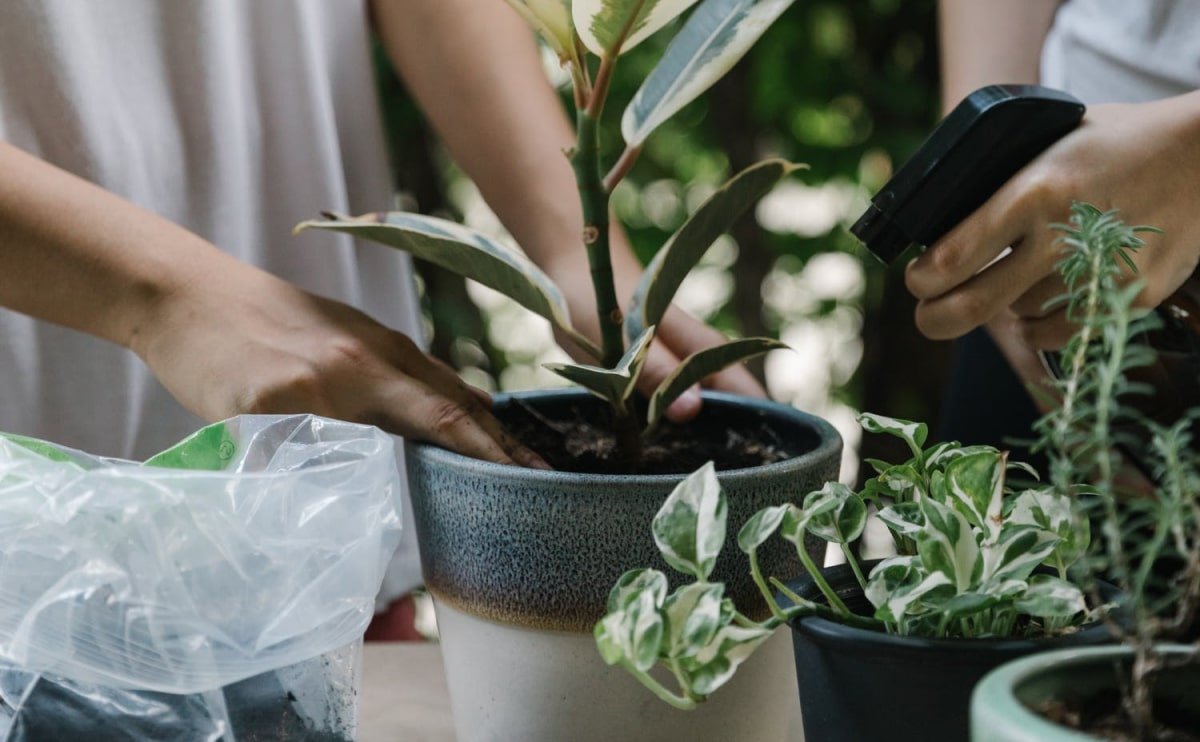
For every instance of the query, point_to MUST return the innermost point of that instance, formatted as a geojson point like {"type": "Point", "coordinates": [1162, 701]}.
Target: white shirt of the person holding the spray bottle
{"type": "Point", "coordinates": [1124, 51]}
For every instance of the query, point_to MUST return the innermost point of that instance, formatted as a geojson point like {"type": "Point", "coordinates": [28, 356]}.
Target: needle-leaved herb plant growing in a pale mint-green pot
{"type": "Point", "coordinates": [1148, 689]}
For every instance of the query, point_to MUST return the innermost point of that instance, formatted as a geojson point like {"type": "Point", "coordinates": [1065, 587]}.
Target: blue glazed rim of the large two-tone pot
{"type": "Point", "coordinates": [830, 445]}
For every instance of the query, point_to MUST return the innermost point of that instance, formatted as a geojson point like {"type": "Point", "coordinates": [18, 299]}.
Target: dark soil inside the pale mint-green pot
{"type": "Point", "coordinates": [1101, 717]}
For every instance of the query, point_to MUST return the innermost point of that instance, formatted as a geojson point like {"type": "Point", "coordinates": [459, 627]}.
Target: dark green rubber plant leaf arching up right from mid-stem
{"type": "Point", "coordinates": [715, 218]}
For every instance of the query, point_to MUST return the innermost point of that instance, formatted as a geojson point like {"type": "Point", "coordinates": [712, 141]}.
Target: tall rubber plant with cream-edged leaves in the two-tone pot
{"type": "Point", "coordinates": [590, 37]}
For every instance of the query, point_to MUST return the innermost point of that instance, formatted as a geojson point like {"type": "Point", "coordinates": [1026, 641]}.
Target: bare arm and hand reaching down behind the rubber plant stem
{"type": "Point", "coordinates": [484, 89]}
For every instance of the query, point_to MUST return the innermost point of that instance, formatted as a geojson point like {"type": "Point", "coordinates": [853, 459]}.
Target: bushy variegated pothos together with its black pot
{"type": "Point", "coordinates": [884, 650]}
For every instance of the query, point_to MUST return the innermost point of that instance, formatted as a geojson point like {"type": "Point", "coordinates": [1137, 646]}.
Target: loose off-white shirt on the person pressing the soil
{"type": "Point", "coordinates": [233, 118]}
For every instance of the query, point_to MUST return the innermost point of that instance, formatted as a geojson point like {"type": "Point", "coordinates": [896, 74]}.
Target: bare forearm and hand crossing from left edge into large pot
{"type": "Point", "coordinates": [224, 337]}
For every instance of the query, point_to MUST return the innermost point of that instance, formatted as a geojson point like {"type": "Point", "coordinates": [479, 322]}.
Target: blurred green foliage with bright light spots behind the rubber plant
{"type": "Point", "coordinates": [849, 88]}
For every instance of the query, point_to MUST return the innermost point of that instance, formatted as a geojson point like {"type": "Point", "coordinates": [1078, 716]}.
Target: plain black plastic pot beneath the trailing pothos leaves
{"type": "Point", "coordinates": [860, 686]}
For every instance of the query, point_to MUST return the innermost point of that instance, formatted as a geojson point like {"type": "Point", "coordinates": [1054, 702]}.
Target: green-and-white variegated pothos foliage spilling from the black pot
{"type": "Point", "coordinates": [969, 547]}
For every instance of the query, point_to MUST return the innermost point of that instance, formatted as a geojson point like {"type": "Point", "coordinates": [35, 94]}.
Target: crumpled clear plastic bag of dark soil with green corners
{"type": "Point", "coordinates": [241, 565]}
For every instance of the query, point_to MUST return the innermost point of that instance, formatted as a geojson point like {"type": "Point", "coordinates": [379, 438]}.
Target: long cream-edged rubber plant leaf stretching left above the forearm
{"type": "Point", "coordinates": [466, 253]}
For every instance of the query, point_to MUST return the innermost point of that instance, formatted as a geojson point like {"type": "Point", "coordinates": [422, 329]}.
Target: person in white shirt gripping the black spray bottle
{"type": "Point", "coordinates": [1137, 65]}
